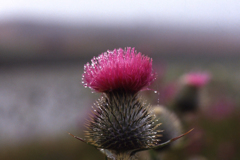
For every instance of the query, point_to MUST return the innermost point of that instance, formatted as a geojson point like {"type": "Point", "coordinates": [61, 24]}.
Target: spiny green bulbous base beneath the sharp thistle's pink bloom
{"type": "Point", "coordinates": [122, 122]}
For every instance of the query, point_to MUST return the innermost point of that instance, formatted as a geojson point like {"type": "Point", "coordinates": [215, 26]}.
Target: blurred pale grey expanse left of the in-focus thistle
{"type": "Point", "coordinates": [40, 101]}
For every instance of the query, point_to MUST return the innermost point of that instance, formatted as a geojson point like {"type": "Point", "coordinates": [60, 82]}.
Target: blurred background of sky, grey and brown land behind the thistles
{"type": "Point", "coordinates": [44, 45]}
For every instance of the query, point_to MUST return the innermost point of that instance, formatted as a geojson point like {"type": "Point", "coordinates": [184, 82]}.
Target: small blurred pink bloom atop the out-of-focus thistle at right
{"type": "Point", "coordinates": [196, 79]}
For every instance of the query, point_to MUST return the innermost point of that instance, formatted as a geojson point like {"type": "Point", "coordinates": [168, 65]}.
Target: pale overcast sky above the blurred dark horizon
{"type": "Point", "coordinates": [213, 12]}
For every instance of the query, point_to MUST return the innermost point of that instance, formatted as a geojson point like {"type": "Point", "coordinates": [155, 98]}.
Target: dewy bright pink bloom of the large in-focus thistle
{"type": "Point", "coordinates": [119, 69]}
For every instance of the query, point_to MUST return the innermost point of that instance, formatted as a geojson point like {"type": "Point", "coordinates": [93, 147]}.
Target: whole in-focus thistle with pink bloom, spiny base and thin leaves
{"type": "Point", "coordinates": [122, 123]}
